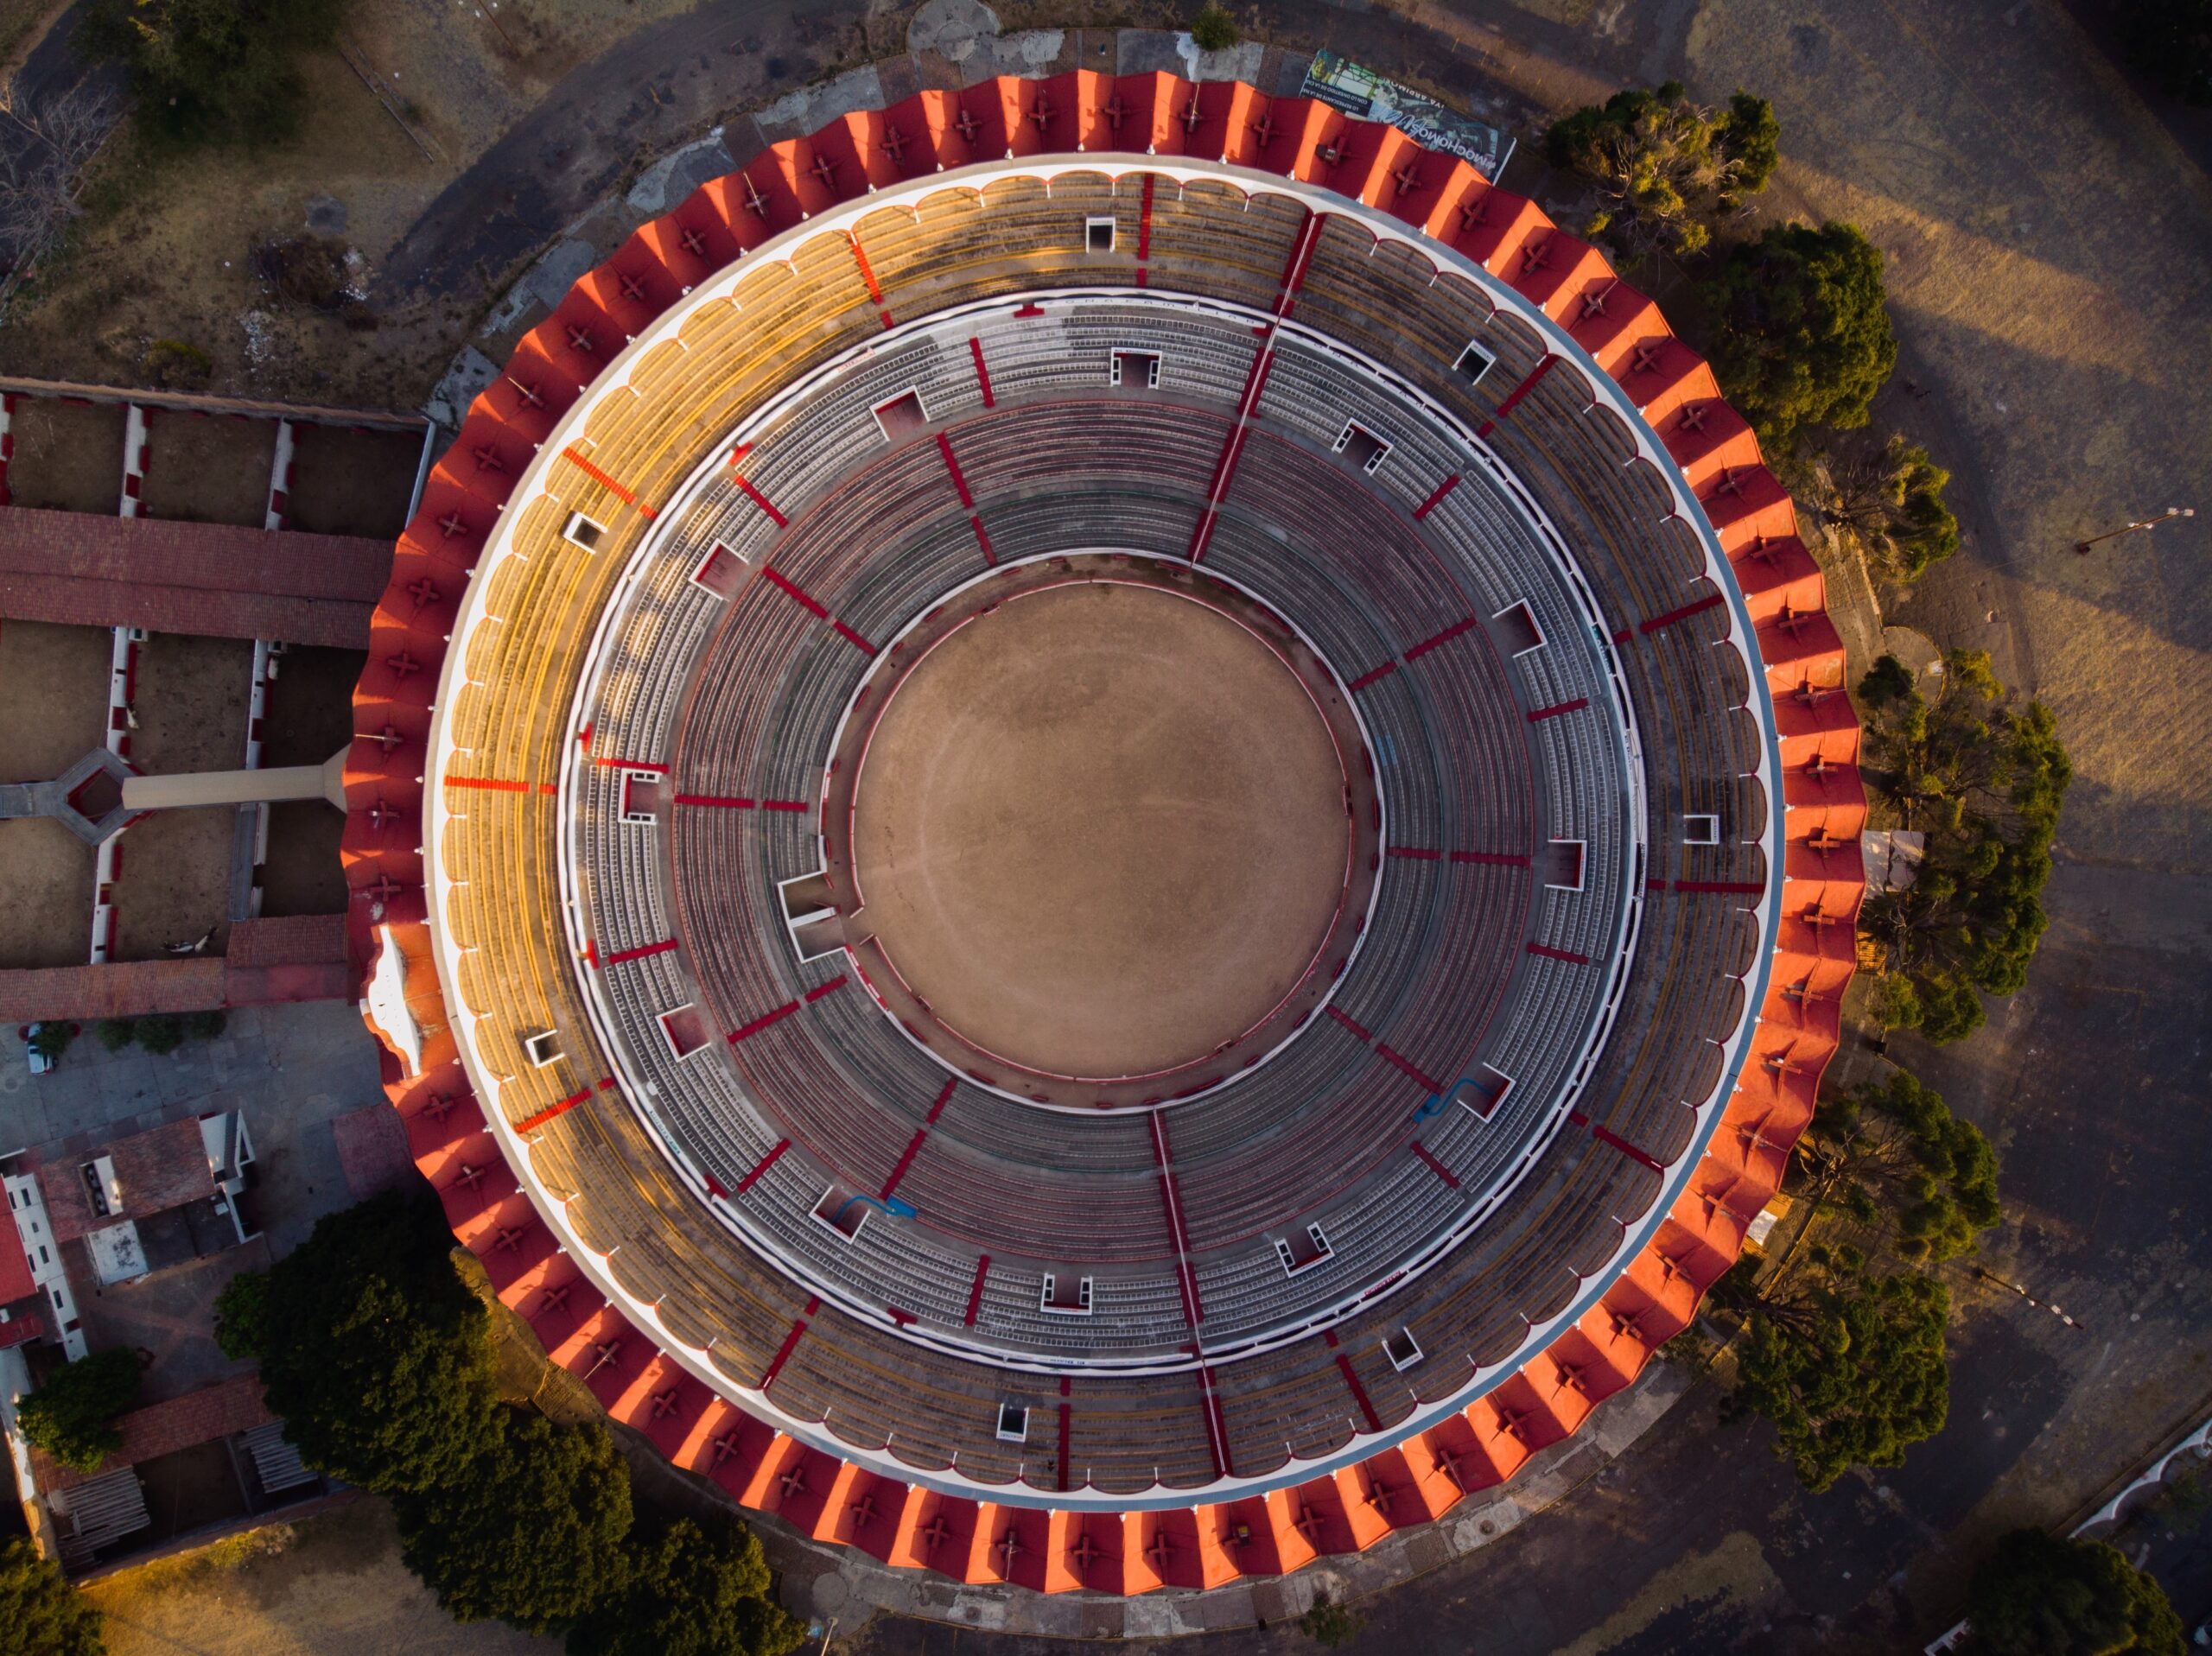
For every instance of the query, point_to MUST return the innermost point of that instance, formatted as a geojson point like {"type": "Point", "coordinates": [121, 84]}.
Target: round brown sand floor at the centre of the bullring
{"type": "Point", "coordinates": [1100, 830]}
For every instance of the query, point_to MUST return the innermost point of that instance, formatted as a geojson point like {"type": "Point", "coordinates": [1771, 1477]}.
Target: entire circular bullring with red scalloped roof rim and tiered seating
{"type": "Point", "coordinates": [1105, 832]}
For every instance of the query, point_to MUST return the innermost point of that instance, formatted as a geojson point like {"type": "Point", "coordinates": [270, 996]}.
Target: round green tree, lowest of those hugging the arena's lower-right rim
{"type": "Point", "coordinates": [1846, 1365]}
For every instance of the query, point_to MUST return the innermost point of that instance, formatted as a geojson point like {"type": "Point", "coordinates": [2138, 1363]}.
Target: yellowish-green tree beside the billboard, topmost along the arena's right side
{"type": "Point", "coordinates": [1665, 165]}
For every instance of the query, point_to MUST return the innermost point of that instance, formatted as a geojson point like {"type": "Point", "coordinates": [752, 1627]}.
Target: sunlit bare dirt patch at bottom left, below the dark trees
{"type": "Point", "coordinates": [331, 1584]}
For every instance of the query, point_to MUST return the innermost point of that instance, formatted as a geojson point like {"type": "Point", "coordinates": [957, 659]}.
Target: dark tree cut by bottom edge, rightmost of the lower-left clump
{"type": "Point", "coordinates": [691, 1591]}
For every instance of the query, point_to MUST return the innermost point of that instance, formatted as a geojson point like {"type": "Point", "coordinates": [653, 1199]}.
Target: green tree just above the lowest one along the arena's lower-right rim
{"type": "Point", "coordinates": [1908, 1168]}
